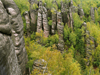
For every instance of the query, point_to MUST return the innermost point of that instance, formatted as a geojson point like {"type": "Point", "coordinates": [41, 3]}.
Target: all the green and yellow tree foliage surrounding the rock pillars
{"type": "Point", "coordinates": [72, 61]}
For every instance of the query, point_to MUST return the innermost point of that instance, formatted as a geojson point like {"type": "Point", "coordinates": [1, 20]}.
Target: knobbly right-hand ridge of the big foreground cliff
{"type": "Point", "coordinates": [17, 33]}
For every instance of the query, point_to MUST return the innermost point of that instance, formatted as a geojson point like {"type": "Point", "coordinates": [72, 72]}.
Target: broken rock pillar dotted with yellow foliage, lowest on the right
{"type": "Point", "coordinates": [90, 44]}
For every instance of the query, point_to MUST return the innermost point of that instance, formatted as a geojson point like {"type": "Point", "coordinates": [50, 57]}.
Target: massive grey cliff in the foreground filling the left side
{"type": "Point", "coordinates": [13, 58]}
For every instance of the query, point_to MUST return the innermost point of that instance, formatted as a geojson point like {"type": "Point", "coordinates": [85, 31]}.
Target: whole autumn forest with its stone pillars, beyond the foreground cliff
{"type": "Point", "coordinates": [74, 47]}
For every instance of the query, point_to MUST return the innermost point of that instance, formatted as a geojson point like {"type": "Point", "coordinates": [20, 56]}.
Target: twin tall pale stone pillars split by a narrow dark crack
{"type": "Point", "coordinates": [42, 22]}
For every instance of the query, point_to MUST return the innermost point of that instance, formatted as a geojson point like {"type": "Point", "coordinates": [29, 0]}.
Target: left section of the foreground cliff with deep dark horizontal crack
{"type": "Point", "coordinates": [8, 59]}
